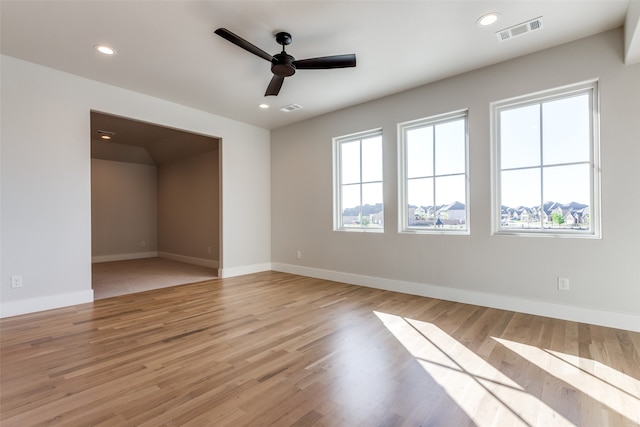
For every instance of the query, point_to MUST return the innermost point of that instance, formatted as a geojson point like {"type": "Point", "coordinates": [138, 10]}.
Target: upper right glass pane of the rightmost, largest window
{"type": "Point", "coordinates": [566, 130]}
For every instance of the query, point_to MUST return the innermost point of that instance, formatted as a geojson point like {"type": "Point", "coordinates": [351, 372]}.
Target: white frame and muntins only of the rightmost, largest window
{"type": "Point", "coordinates": [590, 88]}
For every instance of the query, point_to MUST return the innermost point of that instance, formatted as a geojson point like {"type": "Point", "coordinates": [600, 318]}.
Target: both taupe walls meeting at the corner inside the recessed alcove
{"type": "Point", "coordinates": [174, 209]}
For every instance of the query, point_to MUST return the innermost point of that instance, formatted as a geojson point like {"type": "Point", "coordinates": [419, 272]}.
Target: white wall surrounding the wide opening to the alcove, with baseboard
{"type": "Point", "coordinates": [45, 225]}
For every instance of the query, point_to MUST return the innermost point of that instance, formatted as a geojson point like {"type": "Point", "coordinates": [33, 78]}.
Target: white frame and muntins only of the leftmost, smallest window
{"type": "Point", "coordinates": [337, 179]}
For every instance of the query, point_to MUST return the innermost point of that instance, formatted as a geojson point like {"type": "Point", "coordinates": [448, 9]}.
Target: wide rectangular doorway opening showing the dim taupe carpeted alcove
{"type": "Point", "coordinates": [155, 206]}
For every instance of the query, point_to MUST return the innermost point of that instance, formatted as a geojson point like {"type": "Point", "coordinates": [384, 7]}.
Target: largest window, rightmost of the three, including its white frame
{"type": "Point", "coordinates": [546, 163]}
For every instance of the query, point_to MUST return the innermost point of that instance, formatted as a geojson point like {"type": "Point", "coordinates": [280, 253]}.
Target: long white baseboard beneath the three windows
{"type": "Point", "coordinates": [592, 316]}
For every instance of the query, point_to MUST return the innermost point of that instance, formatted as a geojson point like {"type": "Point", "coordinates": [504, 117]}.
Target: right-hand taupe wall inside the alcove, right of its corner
{"type": "Point", "coordinates": [188, 207]}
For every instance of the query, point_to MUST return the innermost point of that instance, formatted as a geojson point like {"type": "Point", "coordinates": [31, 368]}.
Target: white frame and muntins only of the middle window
{"type": "Point", "coordinates": [403, 226]}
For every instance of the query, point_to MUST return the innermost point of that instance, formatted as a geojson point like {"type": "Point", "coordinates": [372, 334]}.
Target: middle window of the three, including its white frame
{"type": "Point", "coordinates": [433, 152]}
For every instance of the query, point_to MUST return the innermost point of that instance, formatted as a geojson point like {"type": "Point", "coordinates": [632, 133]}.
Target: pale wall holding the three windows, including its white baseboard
{"type": "Point", "coordinates": [502, 271]}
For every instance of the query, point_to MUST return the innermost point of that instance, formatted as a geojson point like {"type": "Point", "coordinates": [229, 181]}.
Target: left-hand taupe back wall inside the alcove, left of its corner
{"type": "Point", "coordinates": [124, 200]}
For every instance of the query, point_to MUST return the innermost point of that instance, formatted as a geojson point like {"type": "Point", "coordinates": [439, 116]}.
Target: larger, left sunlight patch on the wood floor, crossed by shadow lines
{"type": "Point", "coordinates": [480, 390]}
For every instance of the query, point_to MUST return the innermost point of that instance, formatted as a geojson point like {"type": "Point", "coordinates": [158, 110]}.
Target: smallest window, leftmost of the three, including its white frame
{"type": "Point", "coordinates": [358, 182]}
